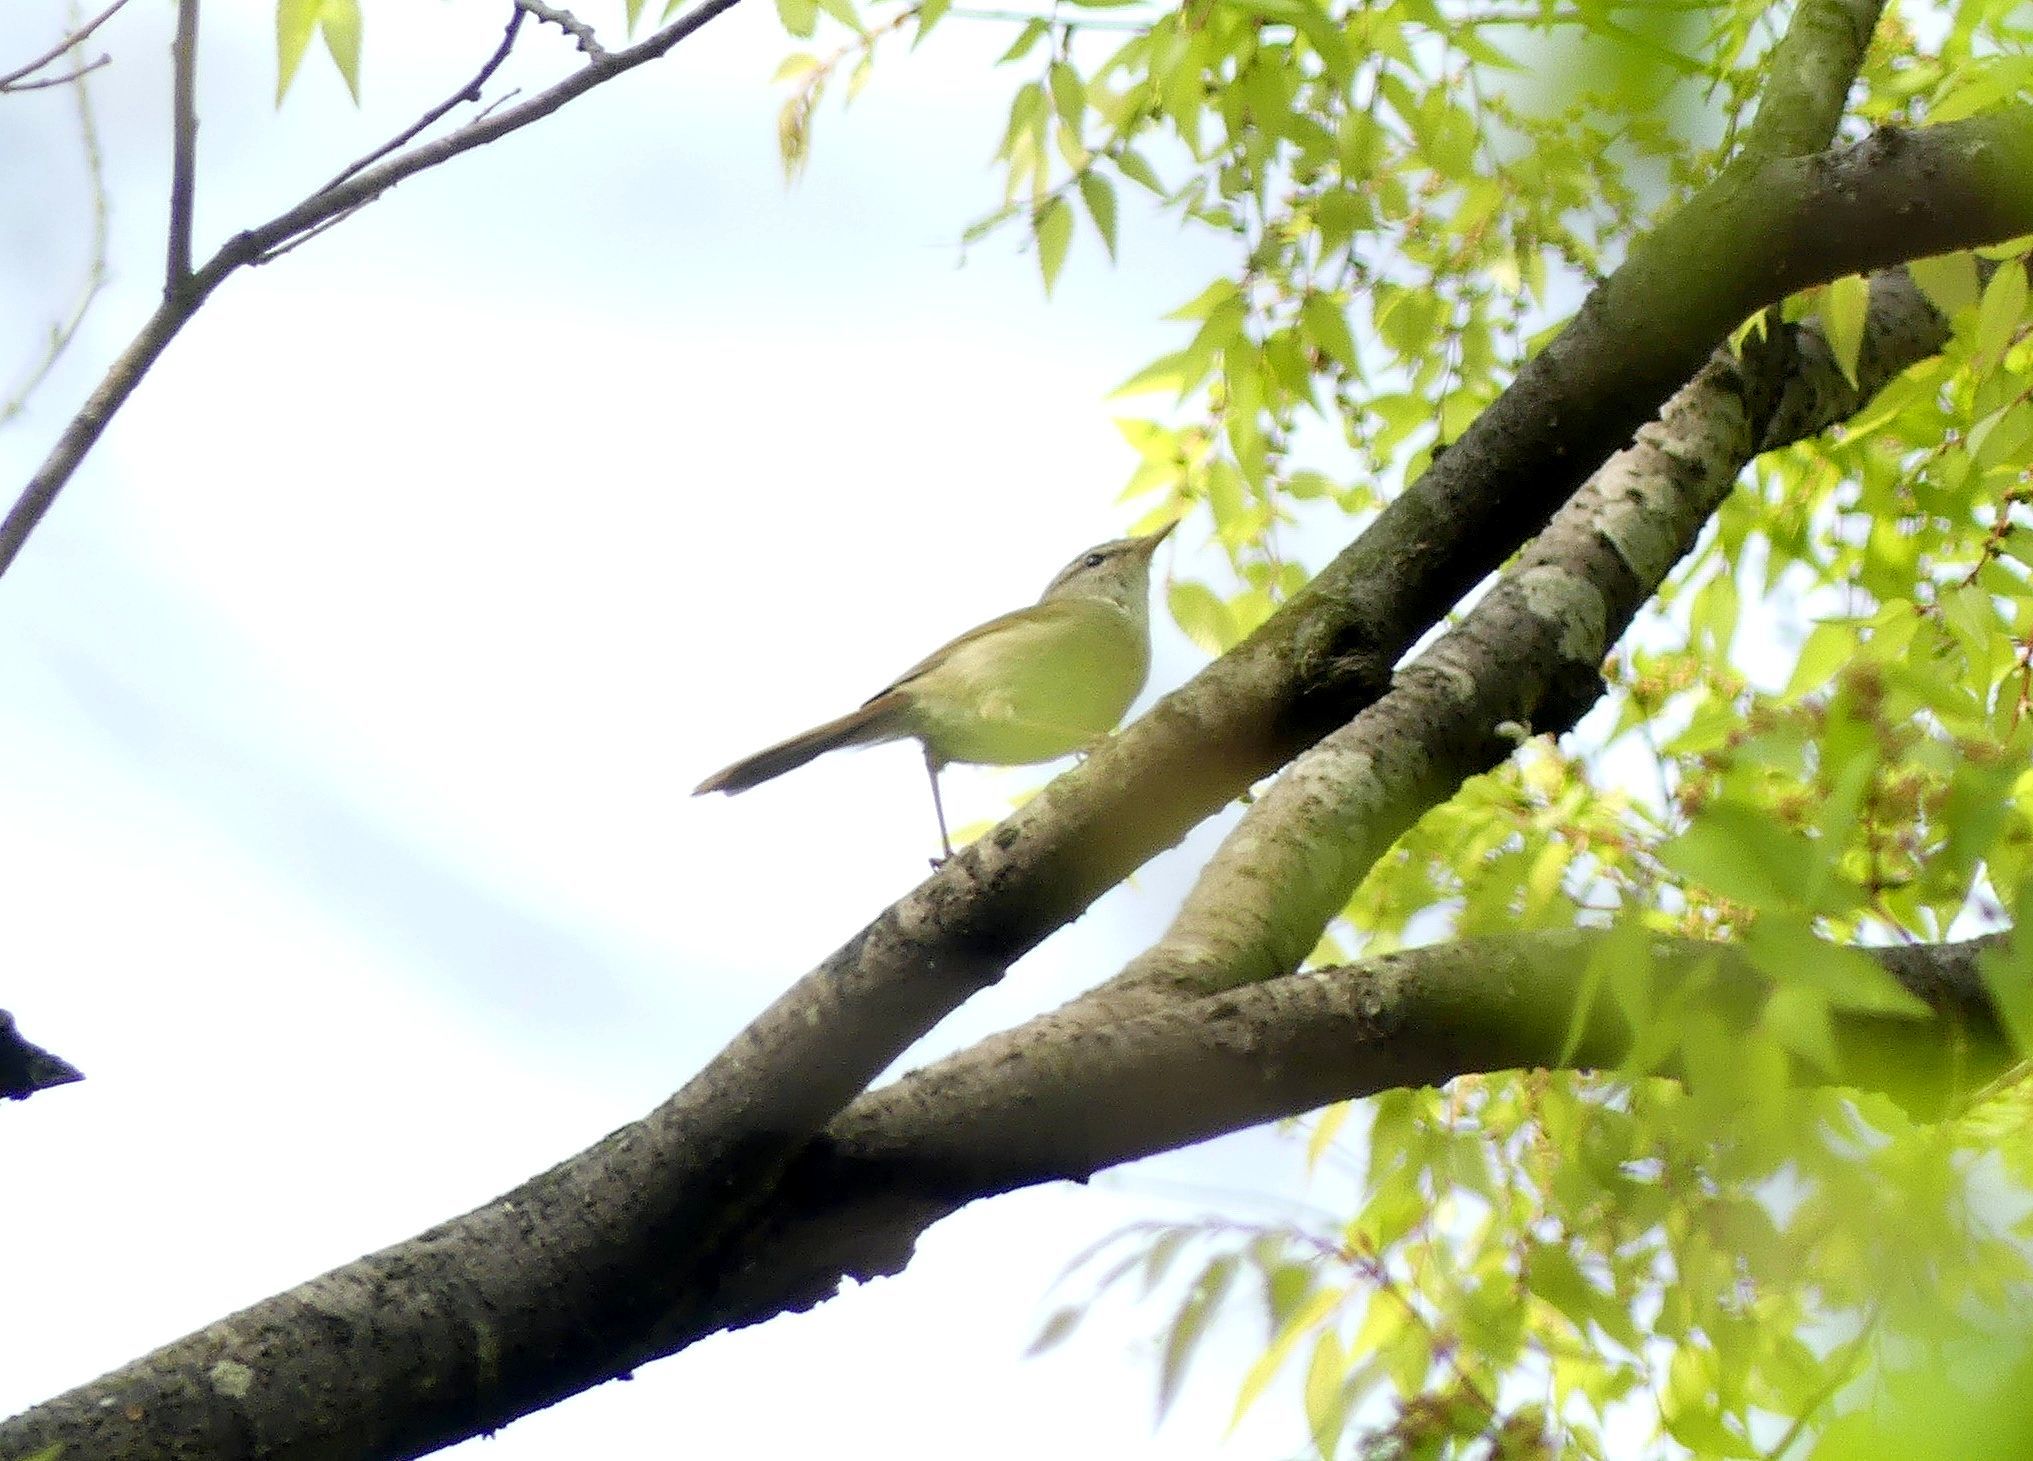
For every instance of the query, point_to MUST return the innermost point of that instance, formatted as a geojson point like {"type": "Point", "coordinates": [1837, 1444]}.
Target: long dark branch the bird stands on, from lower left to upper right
{"type": "Point", "coordinates": [587, 1271]}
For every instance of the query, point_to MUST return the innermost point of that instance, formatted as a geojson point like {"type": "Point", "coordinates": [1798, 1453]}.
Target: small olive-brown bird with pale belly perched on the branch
{"type": "Point", "coordinates": [1024, 688]}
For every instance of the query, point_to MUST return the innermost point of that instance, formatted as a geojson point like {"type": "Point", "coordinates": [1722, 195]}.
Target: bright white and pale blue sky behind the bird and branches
{"type": "Point", "coordinates": [353, 696]}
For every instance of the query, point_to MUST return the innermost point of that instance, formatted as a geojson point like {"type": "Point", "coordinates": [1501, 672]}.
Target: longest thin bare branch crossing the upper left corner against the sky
{"type": "Point", "coordinates": [314, 212]}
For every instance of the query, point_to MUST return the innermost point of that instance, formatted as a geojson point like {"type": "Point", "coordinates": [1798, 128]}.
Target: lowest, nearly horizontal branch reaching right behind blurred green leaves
{"type": "Point", "coordinates": [1105, 1092]}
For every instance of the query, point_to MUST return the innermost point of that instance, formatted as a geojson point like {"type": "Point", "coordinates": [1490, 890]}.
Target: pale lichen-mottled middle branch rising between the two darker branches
{"type": "Point", "coordinates": [1528, 655]}
